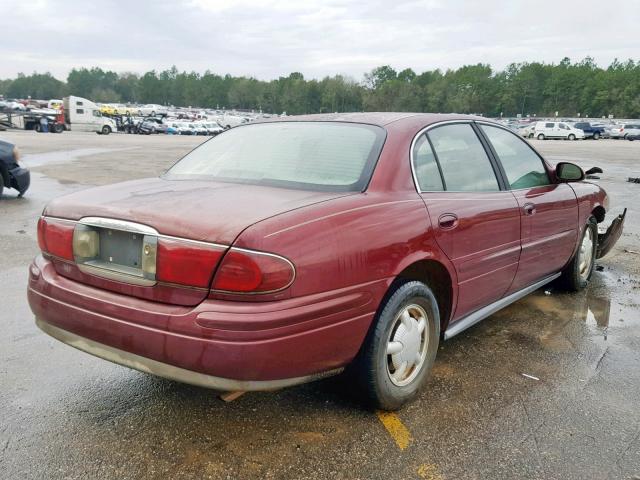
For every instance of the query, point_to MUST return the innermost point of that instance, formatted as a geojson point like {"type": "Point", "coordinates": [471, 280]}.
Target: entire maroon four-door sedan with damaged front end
{"type": "Point", "coordinates": [284, 251]}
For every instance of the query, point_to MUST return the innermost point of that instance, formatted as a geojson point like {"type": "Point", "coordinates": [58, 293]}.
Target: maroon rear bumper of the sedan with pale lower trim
{"type": "Point", "coordinates": [217, 344]}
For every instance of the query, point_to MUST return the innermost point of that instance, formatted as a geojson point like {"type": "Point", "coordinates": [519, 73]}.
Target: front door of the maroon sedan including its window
{"type": "Point", "coordinates": [549, 211]}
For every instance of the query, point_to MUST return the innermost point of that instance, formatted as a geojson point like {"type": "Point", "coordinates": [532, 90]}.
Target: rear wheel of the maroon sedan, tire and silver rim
{"type": "Point", "coordinates": [409, 313]}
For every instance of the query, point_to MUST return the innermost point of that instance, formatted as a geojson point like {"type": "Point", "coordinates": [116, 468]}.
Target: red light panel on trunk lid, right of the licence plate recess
{"type": "Point", "coordinates": [186, 263]}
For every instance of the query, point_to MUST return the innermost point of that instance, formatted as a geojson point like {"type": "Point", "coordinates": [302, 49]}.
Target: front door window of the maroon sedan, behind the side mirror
{"type": "Point", "coordinates": [523, 167]}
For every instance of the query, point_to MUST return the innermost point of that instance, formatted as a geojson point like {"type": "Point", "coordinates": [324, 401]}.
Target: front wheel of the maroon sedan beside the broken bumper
{"type": "Point", "coordinates": [577, 273]}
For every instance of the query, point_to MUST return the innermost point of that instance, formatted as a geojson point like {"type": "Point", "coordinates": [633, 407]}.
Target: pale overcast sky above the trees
{"type": "Point", "coordinates": [270, 38]}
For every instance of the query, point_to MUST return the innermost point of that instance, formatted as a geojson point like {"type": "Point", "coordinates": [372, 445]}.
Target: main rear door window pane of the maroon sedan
{"type": "Point", "coordinates": [464, 163]}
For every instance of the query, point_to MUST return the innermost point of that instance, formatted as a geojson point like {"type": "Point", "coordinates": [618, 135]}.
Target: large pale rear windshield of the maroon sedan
{"type": "Point", "coordinates": [329, 156]}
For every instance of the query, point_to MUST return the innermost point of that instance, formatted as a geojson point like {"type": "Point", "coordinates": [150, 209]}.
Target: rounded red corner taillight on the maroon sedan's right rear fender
{"type": "Point", "coordinates": [246, 271]}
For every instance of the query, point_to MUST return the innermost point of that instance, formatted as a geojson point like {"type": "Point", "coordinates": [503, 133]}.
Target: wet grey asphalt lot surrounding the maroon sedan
{"type": "Point", "coordinates": [65, 414]}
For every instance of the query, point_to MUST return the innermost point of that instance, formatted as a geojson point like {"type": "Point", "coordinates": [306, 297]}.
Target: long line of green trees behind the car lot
{"type": "Point", "coordinates": [522, 88]}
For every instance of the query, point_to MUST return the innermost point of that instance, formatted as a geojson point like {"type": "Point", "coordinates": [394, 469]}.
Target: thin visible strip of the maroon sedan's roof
{"type": "Point", "coordinates": [376, 118]}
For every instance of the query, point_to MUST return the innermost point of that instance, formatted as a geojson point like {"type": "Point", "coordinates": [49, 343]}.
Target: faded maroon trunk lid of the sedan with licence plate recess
{"type": "Point", "coordinates": [179, 219]}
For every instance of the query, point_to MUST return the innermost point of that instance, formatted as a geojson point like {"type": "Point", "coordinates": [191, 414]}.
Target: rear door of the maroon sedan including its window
{"type": "Point", "coordinates": [476, 222]}
